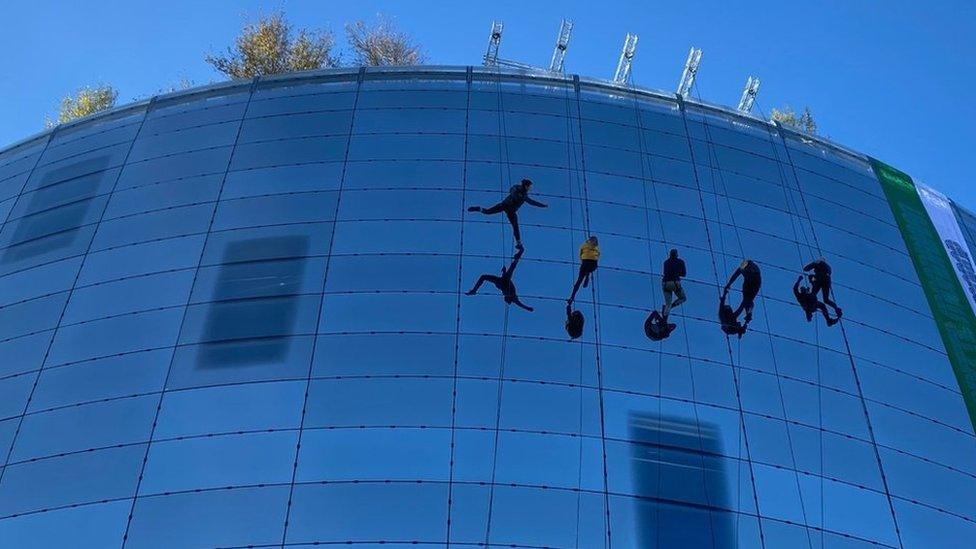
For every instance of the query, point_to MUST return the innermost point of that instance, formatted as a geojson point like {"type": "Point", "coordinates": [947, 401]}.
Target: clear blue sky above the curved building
{"type": "Point", "coordinates": [891, 78]}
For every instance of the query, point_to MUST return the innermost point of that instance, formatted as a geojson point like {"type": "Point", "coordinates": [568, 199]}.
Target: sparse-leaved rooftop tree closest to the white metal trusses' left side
{"type": "Point", "coordinates": [382, 44]}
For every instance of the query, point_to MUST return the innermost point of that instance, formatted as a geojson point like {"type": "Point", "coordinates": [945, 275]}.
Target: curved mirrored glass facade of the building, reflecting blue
{"type": "Point", "coordinates": [234, 317]}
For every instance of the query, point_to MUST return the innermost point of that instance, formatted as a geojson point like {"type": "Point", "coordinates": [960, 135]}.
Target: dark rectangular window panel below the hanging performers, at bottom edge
{"type": "Point", "coordinates": [681, 483]}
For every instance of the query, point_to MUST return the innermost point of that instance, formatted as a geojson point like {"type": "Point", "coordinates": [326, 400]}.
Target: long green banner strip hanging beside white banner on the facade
{"type": "Point", "coordinates": [948, 301]}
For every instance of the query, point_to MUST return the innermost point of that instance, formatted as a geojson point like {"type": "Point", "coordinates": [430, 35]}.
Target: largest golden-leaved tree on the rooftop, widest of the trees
{"type": "Point", "coordinates": [272, 46]}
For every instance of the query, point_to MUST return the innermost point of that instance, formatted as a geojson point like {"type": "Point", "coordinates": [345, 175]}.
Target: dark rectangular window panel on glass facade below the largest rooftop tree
{"type": "Point", "coordinates": [255, 302]}
